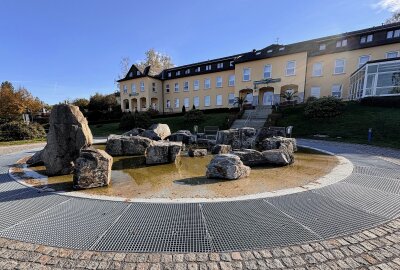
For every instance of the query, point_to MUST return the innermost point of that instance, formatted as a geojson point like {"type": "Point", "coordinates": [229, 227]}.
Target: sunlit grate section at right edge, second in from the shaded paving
{"type": "Point", "coordinates": [371, 200]}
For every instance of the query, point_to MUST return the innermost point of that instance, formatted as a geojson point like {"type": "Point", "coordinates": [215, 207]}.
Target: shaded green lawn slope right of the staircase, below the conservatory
{"type": "Point", "coordinates": [351, 126]}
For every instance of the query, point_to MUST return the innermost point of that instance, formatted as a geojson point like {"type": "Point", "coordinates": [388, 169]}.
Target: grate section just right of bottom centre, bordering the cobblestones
{"type": "Point", "coordinates": [251, 224]}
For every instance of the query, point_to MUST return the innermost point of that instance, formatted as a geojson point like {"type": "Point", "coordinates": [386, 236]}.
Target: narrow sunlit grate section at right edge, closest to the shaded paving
{"type": "Point", "coordinates": [384, 184]}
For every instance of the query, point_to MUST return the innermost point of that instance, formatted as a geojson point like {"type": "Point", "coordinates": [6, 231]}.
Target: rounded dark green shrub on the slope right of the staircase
{"type": "Point", "coordinates": [325, 107]}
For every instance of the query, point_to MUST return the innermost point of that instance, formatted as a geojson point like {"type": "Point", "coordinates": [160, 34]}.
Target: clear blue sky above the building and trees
{"type": "Point", "coordinates": [72, 48]}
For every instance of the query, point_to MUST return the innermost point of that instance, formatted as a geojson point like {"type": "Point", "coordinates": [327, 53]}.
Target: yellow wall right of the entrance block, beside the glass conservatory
{"type": "Point", "coordinates": [328, 78]}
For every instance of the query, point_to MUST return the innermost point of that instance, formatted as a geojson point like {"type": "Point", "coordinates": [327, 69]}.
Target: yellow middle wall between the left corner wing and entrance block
{"type": "Point", "coordinates": [201, 93]}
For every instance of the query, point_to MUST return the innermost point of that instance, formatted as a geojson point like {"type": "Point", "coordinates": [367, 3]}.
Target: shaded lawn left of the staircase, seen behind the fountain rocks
{"type": "Point", "coordinates": [174, 122]}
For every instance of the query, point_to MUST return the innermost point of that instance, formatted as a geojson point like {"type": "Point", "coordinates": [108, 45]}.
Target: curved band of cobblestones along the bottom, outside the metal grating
{"type": "Point", "coordinates": [376, 248]}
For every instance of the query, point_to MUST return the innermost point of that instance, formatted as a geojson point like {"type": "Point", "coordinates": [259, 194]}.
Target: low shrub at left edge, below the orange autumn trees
{"type": "Point", "coordinates": [15, 131]}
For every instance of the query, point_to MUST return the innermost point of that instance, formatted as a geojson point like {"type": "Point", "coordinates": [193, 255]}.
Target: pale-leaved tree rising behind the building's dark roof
{"type": "Point", "coordinates": [156, 60]}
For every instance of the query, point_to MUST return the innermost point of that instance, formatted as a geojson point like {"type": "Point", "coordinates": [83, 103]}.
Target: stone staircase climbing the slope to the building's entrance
{"type": "Point", "coordinates": [253, 118]}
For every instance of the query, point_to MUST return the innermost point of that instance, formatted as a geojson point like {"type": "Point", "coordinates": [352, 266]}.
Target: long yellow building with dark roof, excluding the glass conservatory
{"type": "Point", "coordinates": [319, 67]}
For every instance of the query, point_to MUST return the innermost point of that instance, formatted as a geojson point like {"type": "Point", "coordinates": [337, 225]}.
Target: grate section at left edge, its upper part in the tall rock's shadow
{"type": "Point", "coordinates": [20, 207]}
